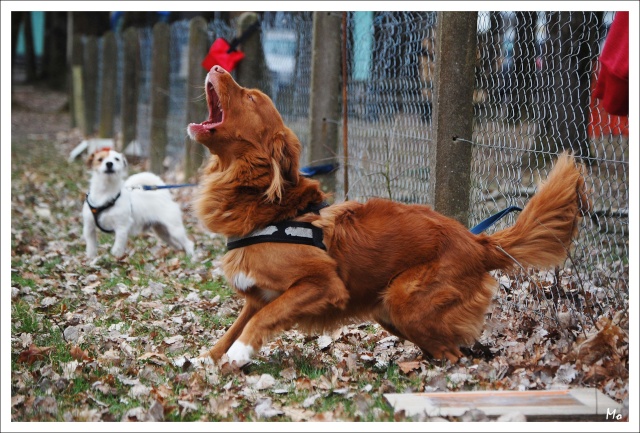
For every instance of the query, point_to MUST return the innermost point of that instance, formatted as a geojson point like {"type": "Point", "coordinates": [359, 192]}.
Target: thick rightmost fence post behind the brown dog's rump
{"type": "Point", "coordinates": [449, 158]}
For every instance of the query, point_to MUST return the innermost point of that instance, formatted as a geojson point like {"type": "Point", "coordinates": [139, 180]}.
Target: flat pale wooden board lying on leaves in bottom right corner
{"type": "Point", "coordinates": [551, 403]}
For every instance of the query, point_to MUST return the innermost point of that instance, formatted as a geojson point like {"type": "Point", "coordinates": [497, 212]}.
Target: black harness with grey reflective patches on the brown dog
{"type": "Point", "coordinates": [290, 232]}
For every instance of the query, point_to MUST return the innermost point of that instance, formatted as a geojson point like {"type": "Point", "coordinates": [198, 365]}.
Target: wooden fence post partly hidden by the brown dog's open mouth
{"type": "Point", "coordinates": [196, 104]}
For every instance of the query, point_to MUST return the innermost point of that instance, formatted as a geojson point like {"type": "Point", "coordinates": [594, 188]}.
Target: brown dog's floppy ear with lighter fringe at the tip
{"type": "Point", "coordinates": [285, 152]}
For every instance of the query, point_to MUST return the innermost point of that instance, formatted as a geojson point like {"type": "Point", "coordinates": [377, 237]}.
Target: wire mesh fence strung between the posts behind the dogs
{"type": "Point", "coordinates": [534, 77]}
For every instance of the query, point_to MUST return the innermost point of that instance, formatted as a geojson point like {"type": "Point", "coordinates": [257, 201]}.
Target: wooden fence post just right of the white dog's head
{"type": "Point", "coordinates": [130, 85]}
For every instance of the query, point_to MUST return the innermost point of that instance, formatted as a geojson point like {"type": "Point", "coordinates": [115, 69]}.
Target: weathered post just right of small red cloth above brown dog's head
{"type": "Point", "coordinates": [252, 69]}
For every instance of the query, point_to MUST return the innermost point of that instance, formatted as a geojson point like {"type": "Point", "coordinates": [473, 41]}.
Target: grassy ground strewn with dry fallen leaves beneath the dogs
{"type": "Point", "coordinates": [115, 340]}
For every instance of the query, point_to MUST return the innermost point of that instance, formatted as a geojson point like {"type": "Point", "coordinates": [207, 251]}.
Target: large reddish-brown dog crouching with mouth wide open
{"type": "Point", "coordinates": [422, 276]}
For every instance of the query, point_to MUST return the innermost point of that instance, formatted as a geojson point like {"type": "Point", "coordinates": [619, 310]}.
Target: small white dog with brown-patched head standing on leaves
{"type": "Point", "coordinates": [123, 207]}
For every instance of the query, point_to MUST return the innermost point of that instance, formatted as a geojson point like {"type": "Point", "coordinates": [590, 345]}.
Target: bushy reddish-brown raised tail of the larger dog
{"type": "Point", "coordinates": [542, 234]}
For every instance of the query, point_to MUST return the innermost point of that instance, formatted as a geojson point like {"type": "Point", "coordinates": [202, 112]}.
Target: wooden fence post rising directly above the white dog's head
{"type": "Point", "coordinates": [109, 83]}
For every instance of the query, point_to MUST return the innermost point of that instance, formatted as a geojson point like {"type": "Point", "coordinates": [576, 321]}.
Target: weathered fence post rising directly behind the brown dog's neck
{"type": "Point", "coordinates": [325, 100]}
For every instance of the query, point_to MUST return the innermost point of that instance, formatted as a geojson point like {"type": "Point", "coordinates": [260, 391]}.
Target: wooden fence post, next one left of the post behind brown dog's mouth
{"type": "Point", "coordinates": [159, 96]}
